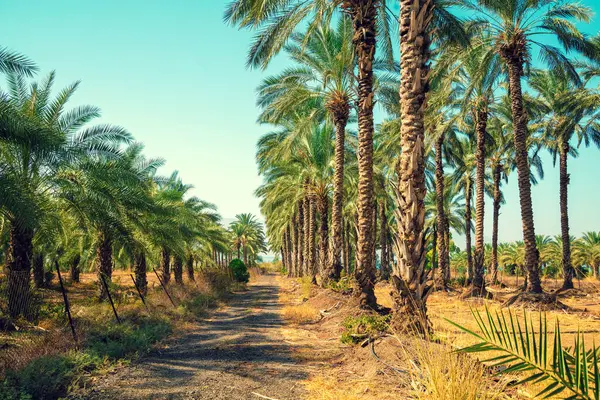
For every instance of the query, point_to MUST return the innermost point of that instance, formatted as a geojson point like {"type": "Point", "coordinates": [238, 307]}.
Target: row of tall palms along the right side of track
{"type": "Point", "coordinates": [457, 122]}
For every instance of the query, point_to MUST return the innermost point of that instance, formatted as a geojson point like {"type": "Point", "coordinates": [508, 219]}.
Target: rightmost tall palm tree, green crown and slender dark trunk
{"type": "Point", "coordinates": [570, 111]}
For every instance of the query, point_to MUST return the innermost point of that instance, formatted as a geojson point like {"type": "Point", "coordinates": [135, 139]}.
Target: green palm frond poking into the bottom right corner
{"type": "Point", "coordinates": [523, 350]}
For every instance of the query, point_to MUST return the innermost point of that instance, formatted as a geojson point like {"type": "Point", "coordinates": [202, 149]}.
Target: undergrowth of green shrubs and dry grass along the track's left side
{"type": "Point", "coordinates": [104, 343]}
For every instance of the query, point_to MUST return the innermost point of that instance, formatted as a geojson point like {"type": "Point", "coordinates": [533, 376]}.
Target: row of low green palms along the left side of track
{"type": "Point", "coordinates": [83, 196]}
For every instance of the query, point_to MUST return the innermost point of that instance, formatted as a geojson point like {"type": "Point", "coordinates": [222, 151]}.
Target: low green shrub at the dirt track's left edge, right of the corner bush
{"type": "Point", "coordinates": [126, 340]}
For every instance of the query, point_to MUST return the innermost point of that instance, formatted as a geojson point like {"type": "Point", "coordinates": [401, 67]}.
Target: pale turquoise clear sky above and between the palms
{"type": "Point", "coordinates": [173, 73]}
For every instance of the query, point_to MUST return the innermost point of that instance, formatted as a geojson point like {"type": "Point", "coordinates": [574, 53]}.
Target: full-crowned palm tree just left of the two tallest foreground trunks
{"type": "Point", "coordinates": [321, 81]}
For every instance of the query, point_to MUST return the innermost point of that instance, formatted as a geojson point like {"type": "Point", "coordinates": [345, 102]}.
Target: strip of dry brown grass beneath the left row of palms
{"type": "Point", "coordinates": [51, 335]}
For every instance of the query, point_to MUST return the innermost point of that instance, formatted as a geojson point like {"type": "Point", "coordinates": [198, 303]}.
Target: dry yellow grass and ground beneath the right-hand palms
{"type": "Point", "coordinates": [409, 367]}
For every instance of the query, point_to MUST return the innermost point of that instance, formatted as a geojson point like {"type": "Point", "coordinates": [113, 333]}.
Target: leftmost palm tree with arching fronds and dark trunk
{"type": "Point", "coordinates": [65, 139]}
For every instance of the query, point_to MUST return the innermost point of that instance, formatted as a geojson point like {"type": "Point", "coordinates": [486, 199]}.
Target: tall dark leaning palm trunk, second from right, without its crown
{"type": "Point", "coordinates": [515, 69]}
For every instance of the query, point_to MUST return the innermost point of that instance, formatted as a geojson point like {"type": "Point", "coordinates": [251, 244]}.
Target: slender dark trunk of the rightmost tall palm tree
{"type": "Point", "coordinates": [568, 270]}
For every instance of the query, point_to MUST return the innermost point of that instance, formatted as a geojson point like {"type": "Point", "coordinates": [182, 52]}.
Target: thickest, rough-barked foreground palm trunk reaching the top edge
{"type": "Point", "coordinates": [410, 279]}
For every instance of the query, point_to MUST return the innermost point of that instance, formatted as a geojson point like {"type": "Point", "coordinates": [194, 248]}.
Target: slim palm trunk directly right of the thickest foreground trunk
{"type": "Point", "coordinates": [442, 246]}
